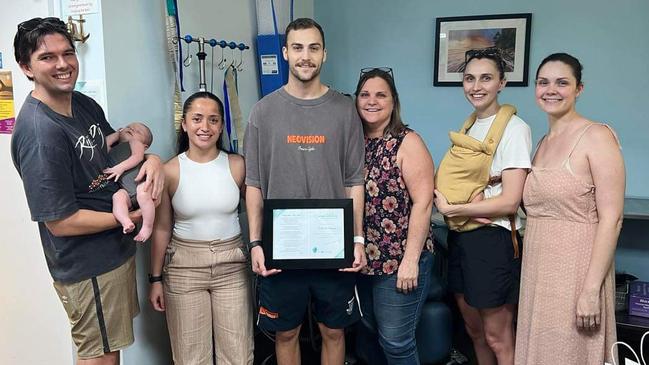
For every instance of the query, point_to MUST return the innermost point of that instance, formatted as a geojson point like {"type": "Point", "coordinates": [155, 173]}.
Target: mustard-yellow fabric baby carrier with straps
{"type": "Point", "coordinates": [464, 171]}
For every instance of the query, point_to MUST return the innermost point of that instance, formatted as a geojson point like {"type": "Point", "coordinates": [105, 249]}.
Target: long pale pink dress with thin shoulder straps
{"type": "Point", "coordinates": [561, 226]}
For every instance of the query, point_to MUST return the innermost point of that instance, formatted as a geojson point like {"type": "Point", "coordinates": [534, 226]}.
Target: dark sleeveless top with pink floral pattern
{"type": "Point", "coordinates": [387, 206]}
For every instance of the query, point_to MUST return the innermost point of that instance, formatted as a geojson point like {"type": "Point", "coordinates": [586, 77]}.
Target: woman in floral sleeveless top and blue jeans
{"type": "Point", "coordinates": [398, 204]}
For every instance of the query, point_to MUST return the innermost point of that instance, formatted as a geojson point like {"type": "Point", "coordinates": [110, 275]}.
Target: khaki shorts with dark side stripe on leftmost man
{"type": "Point", "coordinates": [101, 310]}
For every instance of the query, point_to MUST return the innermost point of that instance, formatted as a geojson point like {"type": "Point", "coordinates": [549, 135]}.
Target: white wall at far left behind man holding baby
{"type": "Point", "coordinates": [30, 313]}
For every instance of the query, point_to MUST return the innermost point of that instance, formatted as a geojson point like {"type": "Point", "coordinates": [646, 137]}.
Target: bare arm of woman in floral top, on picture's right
{"type": "Point", "coordinates": [417, 170]}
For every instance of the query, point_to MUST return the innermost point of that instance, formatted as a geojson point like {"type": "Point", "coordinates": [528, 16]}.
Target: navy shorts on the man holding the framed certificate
{"type": "Point", "coordinates": [284, 298]}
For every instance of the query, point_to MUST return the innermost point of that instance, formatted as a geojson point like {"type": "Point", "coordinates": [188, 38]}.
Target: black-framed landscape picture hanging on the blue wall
{"type": "Point", "coordinates": [508, 34]}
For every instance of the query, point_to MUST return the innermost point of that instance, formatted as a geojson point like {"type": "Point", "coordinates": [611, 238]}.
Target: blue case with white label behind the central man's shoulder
{"type": "Point", "coordinates": [273, 69]}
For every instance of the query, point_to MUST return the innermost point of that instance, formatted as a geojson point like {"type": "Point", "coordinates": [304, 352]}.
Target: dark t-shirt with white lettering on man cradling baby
{"type": "Point", "coordinates": [60, 160]}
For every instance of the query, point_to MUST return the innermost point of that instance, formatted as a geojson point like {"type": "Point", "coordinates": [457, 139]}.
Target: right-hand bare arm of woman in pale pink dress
{"type": "Point", "coordinates": [607, 170]}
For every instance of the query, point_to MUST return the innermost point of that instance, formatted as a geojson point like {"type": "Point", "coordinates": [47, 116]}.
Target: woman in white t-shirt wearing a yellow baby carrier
{"type": "Point", "coordinates": [479, 187]}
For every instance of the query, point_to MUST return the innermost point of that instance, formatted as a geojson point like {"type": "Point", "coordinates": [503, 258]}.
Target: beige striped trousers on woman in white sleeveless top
{"type": "Point", "coordinates": [208, 295]}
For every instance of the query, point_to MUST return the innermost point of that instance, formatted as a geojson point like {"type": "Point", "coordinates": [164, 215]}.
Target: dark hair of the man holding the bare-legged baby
{"type": "Point", "coordinates": [30, 35]}
